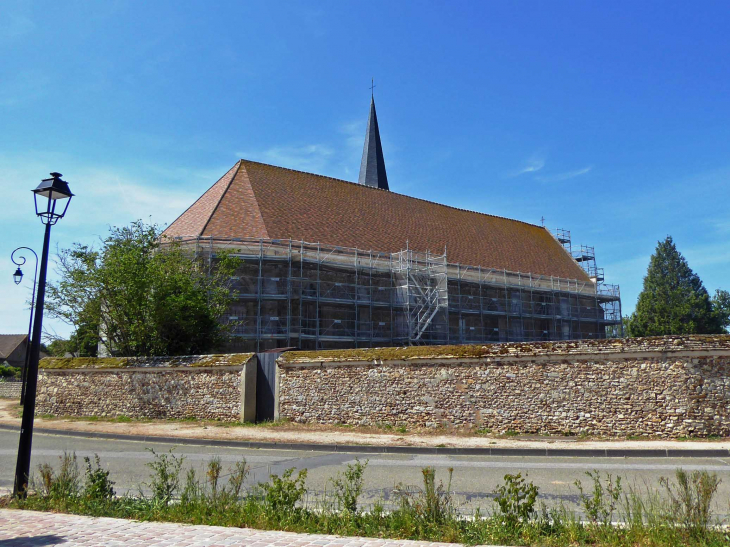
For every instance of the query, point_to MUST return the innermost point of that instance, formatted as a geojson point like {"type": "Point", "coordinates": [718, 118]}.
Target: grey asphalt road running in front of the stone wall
{"type": "Point", "coordinates": [474, 477]}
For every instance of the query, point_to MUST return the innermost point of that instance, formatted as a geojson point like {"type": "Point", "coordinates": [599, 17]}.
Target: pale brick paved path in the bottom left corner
{"type": "Point", "coordinates": [33, 529]}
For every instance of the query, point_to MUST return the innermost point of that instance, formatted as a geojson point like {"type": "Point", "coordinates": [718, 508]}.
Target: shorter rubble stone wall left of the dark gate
{"type": "Point", "coordinates": [205, 387]}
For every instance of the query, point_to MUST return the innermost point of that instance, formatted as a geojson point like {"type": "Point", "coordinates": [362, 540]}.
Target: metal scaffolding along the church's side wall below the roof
{"type": "Point", "coordinates": [313, 296]}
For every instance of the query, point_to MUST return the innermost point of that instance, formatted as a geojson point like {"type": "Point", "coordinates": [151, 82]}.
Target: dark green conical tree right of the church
{"type": "Point", "coordinates": [674, 300]}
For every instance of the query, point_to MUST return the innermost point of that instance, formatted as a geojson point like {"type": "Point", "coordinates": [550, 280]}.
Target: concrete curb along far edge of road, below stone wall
{"type": "Point", "coordinates": [416, 450]}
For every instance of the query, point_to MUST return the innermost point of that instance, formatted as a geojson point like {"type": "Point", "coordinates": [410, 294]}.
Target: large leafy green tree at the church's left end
{"type": "Point", "coordinates": [140, 295]}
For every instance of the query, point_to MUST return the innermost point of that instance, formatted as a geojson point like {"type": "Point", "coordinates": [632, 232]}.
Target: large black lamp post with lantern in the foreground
{"type": "Point", "coordinates": [47, 197]}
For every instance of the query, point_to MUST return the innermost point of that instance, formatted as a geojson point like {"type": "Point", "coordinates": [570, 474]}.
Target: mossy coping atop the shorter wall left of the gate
{"type": "Point", "coordinates": [135, 363]}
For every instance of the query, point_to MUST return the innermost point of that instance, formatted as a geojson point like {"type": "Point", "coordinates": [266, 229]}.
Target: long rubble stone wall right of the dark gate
{"type": "Point", "coordinates": [666, 387]}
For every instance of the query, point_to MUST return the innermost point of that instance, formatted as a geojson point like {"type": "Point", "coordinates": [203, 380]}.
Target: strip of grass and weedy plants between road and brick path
{"type": "Point", "coordinates": [679, 515]}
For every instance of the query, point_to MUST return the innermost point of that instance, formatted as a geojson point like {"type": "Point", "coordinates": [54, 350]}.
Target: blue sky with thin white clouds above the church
{"type": "Point", "coordinates": [610, 119]}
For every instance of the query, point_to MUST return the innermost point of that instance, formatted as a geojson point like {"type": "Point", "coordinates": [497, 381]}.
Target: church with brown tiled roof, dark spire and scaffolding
{"type": "Point", "coordinates": [328, 263]}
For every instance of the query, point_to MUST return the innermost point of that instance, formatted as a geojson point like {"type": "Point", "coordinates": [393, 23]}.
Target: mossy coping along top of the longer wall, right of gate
{"type": "Point", "coordinates": [511, 350]}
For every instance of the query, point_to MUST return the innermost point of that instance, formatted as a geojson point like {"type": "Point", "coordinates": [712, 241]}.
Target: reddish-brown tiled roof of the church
{"type": "Point", "coordinates": [256, 200]}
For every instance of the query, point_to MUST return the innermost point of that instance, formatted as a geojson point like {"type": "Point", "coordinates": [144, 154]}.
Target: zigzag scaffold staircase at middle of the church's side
{"type": "Point", "coordinates": [422, 281]}
